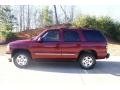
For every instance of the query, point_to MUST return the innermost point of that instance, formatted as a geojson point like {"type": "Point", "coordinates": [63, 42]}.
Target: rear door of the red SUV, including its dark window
{"type": "Point", "coordinates": [70, 44]}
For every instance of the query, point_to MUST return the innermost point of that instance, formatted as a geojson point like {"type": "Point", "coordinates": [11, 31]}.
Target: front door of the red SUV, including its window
{"type": "Point", "coordinates": [48, 47]}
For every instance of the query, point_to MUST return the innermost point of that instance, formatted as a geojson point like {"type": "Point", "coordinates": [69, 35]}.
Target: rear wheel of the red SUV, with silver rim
{"type": "Point", "coordinates": [87, 61]}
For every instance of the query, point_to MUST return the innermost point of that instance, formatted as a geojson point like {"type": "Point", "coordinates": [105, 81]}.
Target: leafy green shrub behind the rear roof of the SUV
{"type": "Point", "coordinates": [106, 24]}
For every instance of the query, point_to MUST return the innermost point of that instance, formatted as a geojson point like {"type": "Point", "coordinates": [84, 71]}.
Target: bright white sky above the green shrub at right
{"type": "Point", "coordinates": [100, 10]}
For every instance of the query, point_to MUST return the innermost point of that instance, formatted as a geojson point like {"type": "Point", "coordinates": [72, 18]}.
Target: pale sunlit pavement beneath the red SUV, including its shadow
{"type": "Point", "coordinates": [60, 75]}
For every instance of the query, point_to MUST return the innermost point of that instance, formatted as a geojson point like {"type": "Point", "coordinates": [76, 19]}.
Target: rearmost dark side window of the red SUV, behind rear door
{"type": "Point", "coordinates": [94, 36]}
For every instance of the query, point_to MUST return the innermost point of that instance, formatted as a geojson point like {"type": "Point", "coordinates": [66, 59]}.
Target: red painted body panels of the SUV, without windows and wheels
{"type": "Point", "coordinates": [59, 50]}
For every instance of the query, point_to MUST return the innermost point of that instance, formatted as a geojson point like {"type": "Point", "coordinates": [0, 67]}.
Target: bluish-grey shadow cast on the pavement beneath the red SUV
{"type": "Point", "coordinates": [102, 67]}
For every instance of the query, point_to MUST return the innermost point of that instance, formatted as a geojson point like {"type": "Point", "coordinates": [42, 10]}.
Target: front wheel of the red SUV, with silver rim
{"type": "Point", "coordinates": [21, 59]}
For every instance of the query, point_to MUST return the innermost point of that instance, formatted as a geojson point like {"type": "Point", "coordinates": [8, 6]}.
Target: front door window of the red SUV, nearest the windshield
{"type": "Point", "coordinates": [51, 36]}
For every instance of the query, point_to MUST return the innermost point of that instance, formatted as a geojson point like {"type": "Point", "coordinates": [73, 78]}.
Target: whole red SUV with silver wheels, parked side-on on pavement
{"type": "Point", "coordinates": [81, 45]}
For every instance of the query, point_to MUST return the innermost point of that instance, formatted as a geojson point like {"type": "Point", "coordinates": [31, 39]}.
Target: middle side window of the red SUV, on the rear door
{"type": "Point", "coordinates": [71, 36]}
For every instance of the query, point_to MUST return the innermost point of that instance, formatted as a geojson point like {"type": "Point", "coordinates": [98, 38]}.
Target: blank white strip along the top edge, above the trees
{"type": "Point", "coordinates": [66, 2]}
